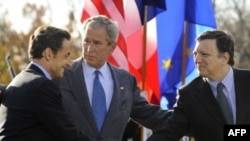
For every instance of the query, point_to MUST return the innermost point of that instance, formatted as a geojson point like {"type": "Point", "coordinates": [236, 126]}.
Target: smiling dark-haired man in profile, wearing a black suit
{"type": "Point", "coordinates": [32, 108]}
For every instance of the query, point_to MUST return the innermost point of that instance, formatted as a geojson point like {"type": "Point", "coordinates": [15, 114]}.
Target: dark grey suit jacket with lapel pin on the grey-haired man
{"type": "Point", "coordinates": [126, 103]}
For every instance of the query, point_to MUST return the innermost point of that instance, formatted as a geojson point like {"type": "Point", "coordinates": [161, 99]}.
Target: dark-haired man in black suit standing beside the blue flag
{"type": "Point", "coordinates": [198, 107]}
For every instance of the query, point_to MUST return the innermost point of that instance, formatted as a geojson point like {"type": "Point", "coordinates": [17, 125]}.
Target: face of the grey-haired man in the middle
{"type": "Point", "coordinates": [96, 48]}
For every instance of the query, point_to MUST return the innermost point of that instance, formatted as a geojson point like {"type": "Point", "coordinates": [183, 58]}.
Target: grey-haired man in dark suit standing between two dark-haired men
{"type": "Point", "coordinates": [123, 99]}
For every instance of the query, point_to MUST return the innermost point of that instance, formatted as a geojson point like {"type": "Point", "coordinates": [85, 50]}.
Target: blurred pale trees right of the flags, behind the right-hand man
{"type": "Point", "coordinates": [235, 19]}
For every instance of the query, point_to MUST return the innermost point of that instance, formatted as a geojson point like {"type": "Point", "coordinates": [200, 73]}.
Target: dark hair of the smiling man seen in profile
{"type": "Point", "coordinates": [46, 37]}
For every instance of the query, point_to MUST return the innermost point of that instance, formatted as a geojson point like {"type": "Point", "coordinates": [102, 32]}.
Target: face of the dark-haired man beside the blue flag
{"type": "Point", "coordinates": [207, 59]}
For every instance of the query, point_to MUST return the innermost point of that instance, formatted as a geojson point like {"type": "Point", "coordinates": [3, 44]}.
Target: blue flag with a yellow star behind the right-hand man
{"type": "Point", "coordinates": [199, 16]}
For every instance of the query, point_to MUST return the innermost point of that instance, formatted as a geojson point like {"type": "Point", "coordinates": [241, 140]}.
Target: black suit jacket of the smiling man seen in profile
{"type": "Point", "coordinates": [32, 110]}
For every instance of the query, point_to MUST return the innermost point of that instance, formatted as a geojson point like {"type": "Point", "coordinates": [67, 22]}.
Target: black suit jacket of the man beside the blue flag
{"type": "Point", "coordinates": [197, 110]}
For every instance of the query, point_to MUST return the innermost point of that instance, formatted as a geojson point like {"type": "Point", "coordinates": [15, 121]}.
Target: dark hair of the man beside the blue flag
{"type": "Point", "coordinates": [224, 42]}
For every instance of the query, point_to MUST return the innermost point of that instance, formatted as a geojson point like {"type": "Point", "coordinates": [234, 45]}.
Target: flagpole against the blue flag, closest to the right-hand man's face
{"type": "Point", "coordinates": [184, 53]}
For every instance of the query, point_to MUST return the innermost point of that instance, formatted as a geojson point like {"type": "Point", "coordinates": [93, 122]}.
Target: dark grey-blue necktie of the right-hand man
{"type": "Point", "coordinates": [224, 105]}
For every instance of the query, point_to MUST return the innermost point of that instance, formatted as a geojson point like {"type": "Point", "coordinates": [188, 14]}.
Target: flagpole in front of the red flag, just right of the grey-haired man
{"type": "Point", "coordinates": [144, 56]}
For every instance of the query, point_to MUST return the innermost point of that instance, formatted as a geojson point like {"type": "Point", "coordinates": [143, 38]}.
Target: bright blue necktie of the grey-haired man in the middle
{"type": "Point", "coordinates": [98, 101]}
